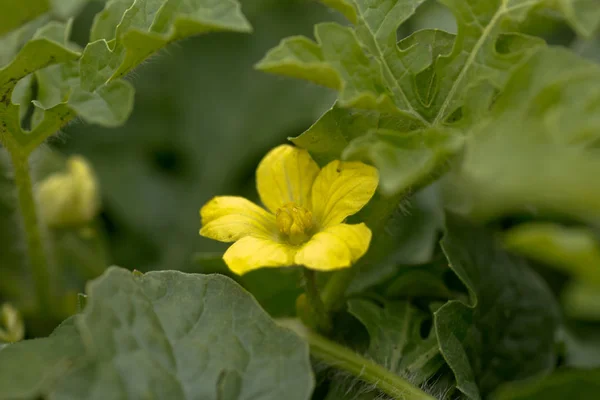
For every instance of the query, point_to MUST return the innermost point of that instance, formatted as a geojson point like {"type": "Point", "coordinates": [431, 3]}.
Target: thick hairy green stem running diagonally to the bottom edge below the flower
{"type": "Point", "coordinates": [342, 358]}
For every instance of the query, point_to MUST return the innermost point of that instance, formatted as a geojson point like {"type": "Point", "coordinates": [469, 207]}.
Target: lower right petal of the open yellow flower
{"type": "Point", "coordinates": [335, 247]}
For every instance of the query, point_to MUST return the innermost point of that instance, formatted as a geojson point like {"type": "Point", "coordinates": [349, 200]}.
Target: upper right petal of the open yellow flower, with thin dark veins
{"type": "Point", "coordinates": [341, 189]}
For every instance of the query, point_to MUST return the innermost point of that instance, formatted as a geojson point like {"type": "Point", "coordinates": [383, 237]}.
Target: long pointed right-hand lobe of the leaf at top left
{"type": "Point", "coordinates": [145, 27]}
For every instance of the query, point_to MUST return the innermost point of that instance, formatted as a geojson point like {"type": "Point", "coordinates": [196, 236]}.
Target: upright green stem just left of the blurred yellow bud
{"type": "Point", "coordinates": [35, 245]}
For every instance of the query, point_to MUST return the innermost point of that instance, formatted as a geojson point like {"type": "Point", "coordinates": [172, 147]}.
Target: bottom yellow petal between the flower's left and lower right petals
{"type": "Point", "coordinates": [251, 253]}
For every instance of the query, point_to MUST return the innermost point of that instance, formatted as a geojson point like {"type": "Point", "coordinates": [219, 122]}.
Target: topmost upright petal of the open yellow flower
{"type": "Point", "coordinates": [285, 175]}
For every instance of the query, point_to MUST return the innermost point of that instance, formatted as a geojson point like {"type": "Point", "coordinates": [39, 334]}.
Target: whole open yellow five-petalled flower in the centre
{"type": "Point", "coordinates": [304, 224]}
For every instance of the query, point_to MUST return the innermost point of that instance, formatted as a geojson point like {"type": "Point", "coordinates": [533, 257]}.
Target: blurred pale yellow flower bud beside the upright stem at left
{"type": "Point", "coordinates": [70, 198]}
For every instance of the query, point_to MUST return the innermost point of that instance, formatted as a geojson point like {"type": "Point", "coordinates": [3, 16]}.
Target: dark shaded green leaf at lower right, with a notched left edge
{"type": "Point", "coordinates": [506, 331]}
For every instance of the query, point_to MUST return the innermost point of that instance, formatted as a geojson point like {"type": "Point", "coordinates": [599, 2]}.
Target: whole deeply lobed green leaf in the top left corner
{"type": "Point", "coordinates": [88, 86]}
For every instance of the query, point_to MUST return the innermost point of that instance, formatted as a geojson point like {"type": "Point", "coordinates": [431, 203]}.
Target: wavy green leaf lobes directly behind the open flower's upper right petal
{"type": "Point", "coordinates": [407, 157]}
